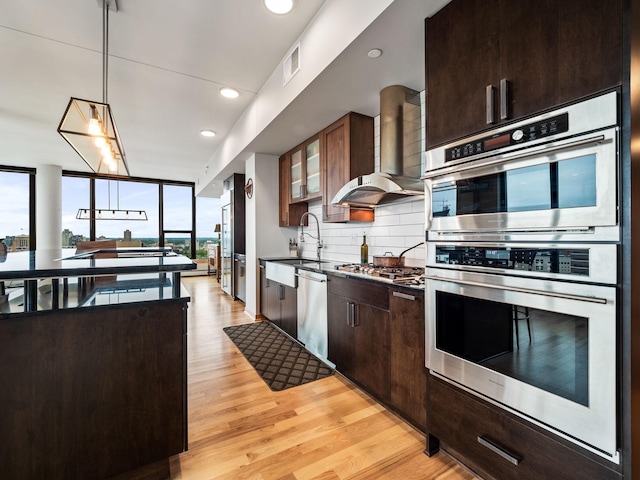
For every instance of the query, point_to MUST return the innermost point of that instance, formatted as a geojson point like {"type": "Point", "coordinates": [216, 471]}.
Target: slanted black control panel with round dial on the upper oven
{"type": "Point", "coordinates": [520, 135]}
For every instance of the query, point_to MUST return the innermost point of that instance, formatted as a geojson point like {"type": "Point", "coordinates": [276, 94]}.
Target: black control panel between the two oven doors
{"type": "Point", "coordinates": [566, 261]}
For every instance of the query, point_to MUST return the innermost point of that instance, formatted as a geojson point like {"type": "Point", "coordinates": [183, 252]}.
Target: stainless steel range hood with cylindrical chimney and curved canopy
{"type": "Point", "coordinates": [400, 154]}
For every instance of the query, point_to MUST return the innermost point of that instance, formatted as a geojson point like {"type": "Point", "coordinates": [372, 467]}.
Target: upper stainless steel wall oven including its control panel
{"type": "Point", "coordinates": [555, 174]}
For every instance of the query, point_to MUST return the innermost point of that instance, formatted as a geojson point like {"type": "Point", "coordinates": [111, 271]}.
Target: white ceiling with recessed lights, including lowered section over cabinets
{"type": "Point", "coordinates": [167, 61]}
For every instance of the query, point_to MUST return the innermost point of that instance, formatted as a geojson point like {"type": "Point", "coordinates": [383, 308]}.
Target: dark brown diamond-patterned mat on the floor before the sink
{"type": "Point", "coordinates": [280, 362]}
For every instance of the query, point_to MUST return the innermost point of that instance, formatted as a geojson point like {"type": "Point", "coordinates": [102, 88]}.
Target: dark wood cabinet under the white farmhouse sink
{"type": "Point", "coordinates": [279, 304]}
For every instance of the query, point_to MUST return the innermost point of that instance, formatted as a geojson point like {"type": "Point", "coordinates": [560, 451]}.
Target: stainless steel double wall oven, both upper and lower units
{"type": "Point", "coordinates": [522, 269]}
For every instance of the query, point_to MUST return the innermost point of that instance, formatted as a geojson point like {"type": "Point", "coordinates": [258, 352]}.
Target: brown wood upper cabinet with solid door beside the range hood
{"type": "Point", "coordinates": [348, 153]}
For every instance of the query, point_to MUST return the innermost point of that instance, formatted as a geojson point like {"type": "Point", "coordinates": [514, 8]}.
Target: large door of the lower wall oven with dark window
{"type": "Point", "coordinates": [544, 349]}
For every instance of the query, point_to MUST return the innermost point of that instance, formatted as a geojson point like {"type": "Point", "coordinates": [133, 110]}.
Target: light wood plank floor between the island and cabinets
{"type": "Point", "coordinates": [324, 430]}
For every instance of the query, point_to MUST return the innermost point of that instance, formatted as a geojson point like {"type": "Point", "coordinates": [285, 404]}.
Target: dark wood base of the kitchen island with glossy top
{"type": "Point", "coordinates": [93, 392]}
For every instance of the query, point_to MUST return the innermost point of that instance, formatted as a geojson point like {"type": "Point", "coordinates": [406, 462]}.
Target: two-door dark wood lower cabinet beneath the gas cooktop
{"type": "Point", "coordinates": [358, 332]}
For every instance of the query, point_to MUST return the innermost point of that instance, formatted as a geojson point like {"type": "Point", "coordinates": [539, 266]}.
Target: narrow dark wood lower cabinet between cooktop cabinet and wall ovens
{"type": "Point", "coordinates": [407, 348]}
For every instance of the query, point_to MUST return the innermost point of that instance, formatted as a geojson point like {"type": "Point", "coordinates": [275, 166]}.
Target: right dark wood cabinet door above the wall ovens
{"type": "Point", "coordinates": [540, 54]}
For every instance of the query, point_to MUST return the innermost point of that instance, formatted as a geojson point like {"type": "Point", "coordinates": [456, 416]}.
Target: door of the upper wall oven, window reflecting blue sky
{"type": "Point", "coordinates": [567, 185]}
